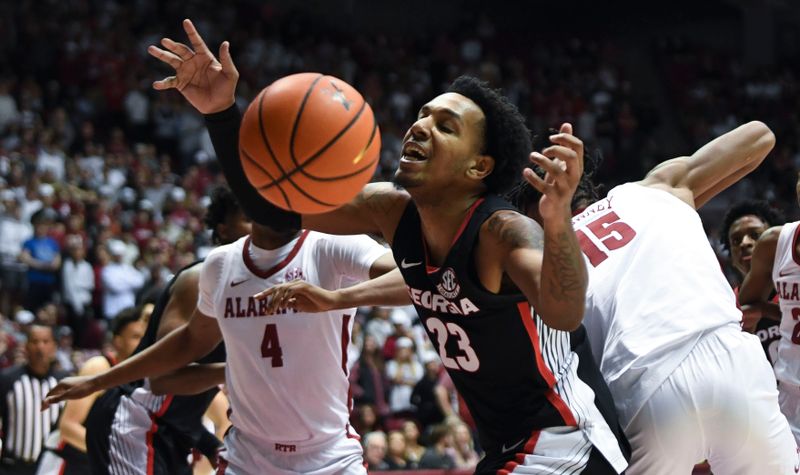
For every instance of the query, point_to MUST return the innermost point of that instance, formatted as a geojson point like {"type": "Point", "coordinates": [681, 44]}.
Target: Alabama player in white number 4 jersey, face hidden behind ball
{"type": "Point", "coordinates": [286, 372]}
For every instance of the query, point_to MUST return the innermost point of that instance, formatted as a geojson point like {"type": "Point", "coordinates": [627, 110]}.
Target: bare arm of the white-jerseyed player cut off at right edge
{"type": "Point", "coordinates": [757, 286]}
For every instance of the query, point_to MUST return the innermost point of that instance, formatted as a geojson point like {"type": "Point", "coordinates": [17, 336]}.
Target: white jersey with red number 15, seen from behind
{"type": "Point", "coordinates": [655, 287]}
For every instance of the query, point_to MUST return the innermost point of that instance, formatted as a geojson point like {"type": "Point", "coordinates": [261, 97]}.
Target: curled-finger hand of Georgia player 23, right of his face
{"type": "Point", "coordinates": [563, 166]}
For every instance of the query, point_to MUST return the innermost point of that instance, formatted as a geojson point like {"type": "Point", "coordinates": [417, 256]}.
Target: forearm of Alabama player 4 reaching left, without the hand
{"type": "Point", "coordinates": [172, 352]}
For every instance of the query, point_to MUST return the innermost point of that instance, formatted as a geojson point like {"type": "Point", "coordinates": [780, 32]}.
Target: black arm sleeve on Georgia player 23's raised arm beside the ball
{"type": "Point", "coordinates": [223, 127]}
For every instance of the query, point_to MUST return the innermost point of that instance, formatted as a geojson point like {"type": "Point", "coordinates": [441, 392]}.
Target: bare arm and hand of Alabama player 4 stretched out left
{"type": "Point", "coordinates": [189, 342]}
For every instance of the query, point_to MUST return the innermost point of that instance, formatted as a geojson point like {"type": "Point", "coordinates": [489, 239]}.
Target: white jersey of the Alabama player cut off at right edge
{"type": "Point", "coordinates": [786, 275]}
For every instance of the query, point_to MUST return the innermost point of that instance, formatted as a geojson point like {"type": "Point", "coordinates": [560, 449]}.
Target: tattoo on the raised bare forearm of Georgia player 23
{"type": "Point", "coordinates": [566, 281]}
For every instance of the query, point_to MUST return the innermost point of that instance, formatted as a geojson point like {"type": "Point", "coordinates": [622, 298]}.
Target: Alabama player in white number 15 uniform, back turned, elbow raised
{"type": "Point", "coordinates": [663, 323]}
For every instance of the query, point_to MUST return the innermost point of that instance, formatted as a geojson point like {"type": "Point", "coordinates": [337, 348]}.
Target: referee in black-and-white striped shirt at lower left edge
{"type": "Point", "coordinates": [24, 425]}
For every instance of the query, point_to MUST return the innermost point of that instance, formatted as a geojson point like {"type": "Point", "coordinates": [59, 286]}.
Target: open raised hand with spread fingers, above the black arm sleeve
{"type": "Point", "coordinates": [207, 83]}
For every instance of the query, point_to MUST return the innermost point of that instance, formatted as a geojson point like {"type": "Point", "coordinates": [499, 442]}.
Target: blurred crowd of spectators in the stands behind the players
{"type": "Point", "coordinates": [104, 182]}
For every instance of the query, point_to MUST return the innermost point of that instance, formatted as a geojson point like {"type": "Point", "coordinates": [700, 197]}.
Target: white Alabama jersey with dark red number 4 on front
{"type": "Point", "coordinates": [286, 372]}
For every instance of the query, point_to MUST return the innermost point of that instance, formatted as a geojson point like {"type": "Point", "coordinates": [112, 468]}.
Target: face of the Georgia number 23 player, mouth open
{"type": "Point", "coordinates": [441, 145]}
